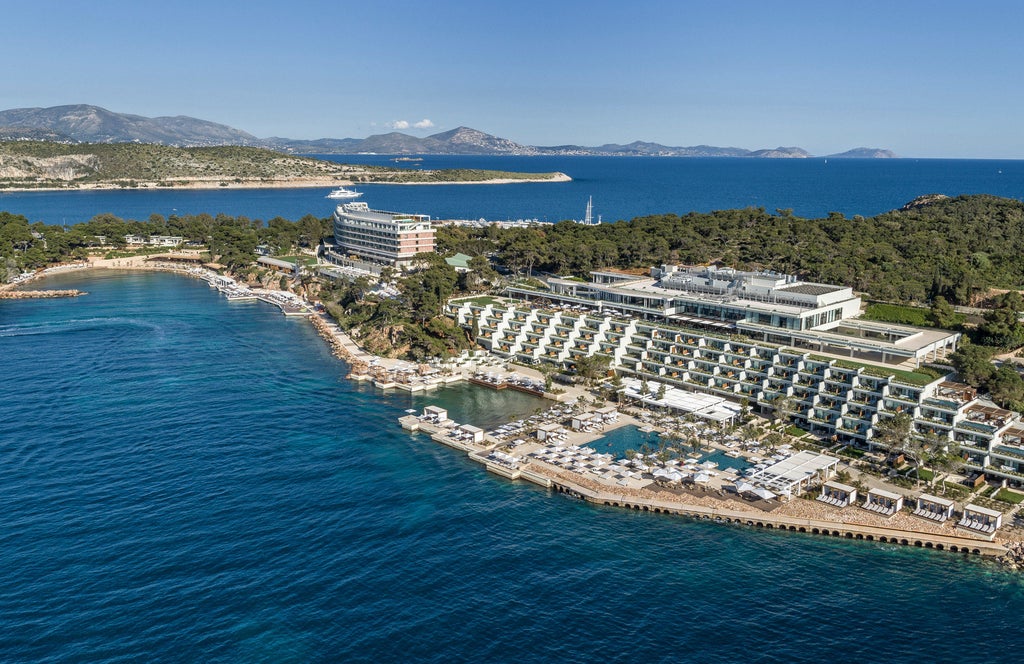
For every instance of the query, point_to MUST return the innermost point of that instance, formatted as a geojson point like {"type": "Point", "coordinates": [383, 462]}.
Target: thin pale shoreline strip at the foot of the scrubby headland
{"type": "Point", "coordinates": [305, 183]}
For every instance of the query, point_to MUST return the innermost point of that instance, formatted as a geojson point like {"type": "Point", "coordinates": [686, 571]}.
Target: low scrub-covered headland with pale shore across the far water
{"type": "Point", "coordinates": [50, 165]}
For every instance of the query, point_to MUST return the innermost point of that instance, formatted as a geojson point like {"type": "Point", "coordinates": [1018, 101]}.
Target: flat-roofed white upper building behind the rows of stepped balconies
{"type": "Point", "coordinates": [766, 307]}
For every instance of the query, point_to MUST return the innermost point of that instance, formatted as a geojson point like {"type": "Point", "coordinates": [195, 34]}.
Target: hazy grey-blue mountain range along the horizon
{"type": "Point", "coordinates": [83, 123]}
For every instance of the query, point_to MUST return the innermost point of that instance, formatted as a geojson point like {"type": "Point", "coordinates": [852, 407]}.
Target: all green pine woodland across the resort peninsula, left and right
{"type": "Point", "coordinates": [949, 252]}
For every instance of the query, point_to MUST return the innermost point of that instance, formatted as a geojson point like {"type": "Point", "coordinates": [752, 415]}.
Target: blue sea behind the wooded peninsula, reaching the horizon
{"type": "Point", "coordinates": [623, 188]}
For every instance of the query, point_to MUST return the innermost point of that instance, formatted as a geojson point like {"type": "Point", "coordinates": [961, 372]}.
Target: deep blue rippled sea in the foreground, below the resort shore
{"type": "Point", "coordinates": [184, 479]}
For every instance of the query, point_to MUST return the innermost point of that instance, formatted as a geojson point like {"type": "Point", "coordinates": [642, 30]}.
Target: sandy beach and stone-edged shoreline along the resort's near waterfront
{"type": "Point", "coordinates": [797, 515]}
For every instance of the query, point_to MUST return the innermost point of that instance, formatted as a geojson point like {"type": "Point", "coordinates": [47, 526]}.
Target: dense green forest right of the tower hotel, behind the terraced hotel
{"type": "Point", "coordinates": [956, 248]}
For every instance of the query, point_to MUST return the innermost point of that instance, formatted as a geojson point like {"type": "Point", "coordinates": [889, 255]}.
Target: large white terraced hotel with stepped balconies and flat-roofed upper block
{"type": "Point", "coordinates": [757, 338]}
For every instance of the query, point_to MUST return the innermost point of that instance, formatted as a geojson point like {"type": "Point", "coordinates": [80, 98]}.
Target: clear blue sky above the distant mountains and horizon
{"type": "Point", "coordinates": [924, 79]}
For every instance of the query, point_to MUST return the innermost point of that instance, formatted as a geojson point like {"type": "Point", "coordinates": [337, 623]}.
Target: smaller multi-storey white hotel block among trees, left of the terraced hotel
{"type": "Point", "coordinates": [391, 238]}
